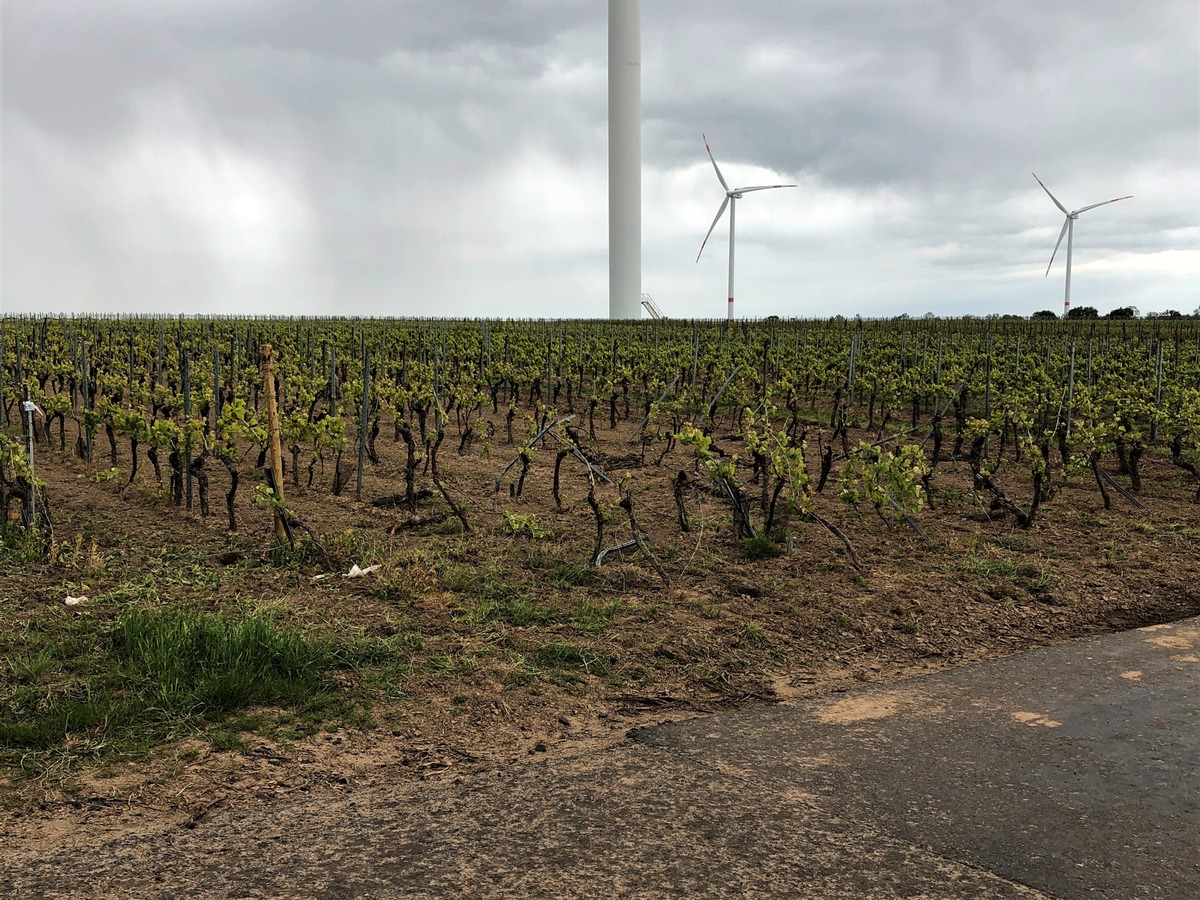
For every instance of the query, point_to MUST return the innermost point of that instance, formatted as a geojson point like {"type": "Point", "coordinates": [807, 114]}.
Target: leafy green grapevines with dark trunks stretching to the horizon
{"type": "Point", "coordinates": [784, 422]}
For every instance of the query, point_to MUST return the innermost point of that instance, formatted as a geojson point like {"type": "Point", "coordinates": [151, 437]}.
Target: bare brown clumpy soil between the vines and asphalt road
{"type": "Point", "coordinates": [466, 651]}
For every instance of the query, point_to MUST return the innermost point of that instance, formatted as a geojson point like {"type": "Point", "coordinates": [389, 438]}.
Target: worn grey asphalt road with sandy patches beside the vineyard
{"type": "Point", "coordinates": [1066, 772]}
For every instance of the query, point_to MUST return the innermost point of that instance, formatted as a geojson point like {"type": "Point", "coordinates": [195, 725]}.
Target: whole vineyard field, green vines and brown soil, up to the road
{"type": "Point", "coordinates": [579, 515]}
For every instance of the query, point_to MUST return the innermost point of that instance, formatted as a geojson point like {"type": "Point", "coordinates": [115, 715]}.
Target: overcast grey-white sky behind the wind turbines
{"type": "Point", "coordinates": [421, 158]}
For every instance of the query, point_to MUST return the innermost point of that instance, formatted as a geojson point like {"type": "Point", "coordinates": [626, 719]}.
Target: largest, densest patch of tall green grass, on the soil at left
{"type": "Point", "coordinates": [83, 689]}
